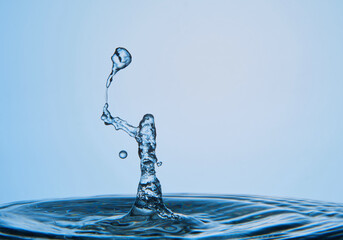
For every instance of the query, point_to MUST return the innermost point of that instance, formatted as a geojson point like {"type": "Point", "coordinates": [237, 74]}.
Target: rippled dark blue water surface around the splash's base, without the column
{"type": "Point", "coordinates": [217, 217]}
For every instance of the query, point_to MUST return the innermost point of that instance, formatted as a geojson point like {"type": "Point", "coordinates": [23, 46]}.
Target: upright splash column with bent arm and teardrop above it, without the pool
{"type": "Point", "coordinates": [149, 194]}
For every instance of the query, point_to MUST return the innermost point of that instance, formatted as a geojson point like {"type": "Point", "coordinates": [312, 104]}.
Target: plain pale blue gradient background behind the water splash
{"type": "Point", "coordinates": [247, 96]}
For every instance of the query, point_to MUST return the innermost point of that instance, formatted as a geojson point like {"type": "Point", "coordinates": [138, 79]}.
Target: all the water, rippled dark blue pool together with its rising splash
{"type": "Point", "coordinates": [147, 216]}
